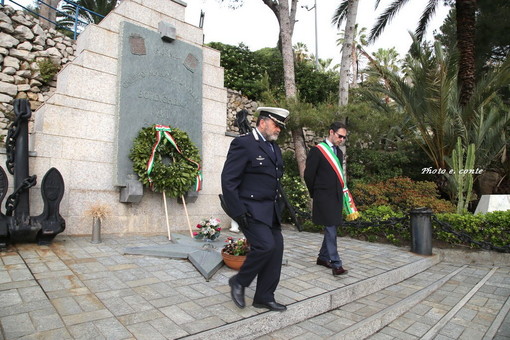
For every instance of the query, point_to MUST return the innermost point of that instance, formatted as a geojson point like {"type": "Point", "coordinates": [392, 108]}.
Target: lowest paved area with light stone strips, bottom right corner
{"type": "Point", "coordinates": [471, 305]}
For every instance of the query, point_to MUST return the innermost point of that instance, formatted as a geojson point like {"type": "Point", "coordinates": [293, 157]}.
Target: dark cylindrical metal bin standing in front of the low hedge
{"type": "Point", "coordinates": [421, 231]}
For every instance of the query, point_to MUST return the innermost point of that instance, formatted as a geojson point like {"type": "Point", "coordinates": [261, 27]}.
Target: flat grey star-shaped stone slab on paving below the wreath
{"type": "Point", "coordinates": [206, 257]}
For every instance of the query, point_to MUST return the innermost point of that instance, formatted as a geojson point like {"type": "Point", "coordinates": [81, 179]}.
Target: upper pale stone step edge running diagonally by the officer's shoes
{"type": "Point", "coordinates": [268, 322]}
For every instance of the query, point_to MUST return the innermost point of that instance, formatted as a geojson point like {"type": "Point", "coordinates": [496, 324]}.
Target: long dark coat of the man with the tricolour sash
{"type": "Point", "coordinates": [325, 189]}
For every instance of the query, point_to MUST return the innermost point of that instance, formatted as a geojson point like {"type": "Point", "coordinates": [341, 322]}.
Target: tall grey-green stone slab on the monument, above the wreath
{"type": "Point", "coordinates": [160, 82]}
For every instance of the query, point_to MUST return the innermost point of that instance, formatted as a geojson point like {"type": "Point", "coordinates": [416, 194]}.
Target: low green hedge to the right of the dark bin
{"type": "Point", "coordinates": [493, 227]}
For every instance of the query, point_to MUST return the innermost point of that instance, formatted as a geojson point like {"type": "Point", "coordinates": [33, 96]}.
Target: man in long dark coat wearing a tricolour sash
{"type": "Point", "coordinates": [326, 190]}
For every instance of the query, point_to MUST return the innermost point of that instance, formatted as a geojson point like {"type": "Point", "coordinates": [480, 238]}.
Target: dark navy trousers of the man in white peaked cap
{"type": "Point", "coordinates": [264, 260]}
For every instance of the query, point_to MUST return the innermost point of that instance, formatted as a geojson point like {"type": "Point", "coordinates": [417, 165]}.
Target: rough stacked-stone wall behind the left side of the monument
{"type": "Point", "coordinates": [24, 43]}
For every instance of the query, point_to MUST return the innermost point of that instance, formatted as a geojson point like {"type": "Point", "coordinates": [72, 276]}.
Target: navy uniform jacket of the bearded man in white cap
{"type": "Point", "coordinates": [250, 178]}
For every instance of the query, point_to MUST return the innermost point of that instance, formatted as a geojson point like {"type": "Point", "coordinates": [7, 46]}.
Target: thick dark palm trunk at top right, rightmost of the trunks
{"type": "Point", "coordinates": [466, 20]}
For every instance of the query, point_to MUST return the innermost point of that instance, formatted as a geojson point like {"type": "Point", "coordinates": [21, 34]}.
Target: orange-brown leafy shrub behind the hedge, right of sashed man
{"type": "Point", "coordinates": [401, 194]}
